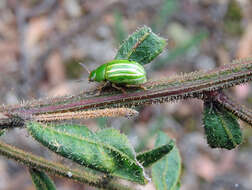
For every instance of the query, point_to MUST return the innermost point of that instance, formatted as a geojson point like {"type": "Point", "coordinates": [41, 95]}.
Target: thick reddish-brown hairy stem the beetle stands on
{"type": "Point", "coordinates": [192, 85]}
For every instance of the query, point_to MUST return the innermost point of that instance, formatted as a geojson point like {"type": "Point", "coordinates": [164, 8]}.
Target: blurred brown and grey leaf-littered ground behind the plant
{"type": "Point", "coordinates": [42, 42]}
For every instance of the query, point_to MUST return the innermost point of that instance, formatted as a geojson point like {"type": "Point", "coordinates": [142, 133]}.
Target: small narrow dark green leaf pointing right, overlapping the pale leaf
{"type": "Point", "coordinates": [150, 157]}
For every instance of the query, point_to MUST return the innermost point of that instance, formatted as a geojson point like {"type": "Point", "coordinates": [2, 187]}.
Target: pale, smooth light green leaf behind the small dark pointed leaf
{"type": "Point", "coordinates": [166, 172]}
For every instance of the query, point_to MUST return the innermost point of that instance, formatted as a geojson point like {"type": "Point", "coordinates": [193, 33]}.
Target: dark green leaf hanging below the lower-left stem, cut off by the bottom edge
{"type": "Point", "coordinates": [41, 180]}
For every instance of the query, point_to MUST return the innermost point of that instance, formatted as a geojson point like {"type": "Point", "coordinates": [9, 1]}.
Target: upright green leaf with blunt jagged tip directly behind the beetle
{"type": "Point", "coordinates": [142, 46]}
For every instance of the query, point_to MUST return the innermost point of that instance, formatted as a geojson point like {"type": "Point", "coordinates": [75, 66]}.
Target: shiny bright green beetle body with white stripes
{"type": "Point", "coordinates": [120, 72]}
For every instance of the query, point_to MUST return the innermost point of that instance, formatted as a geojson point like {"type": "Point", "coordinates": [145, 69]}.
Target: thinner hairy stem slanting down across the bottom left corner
{"type": "Point", "coordinates": [52, 168]}
